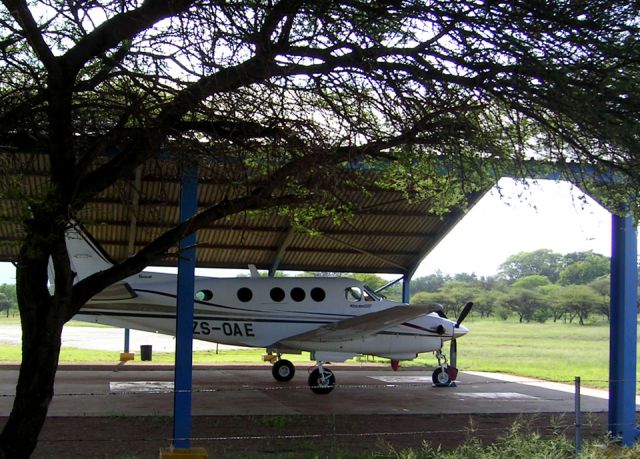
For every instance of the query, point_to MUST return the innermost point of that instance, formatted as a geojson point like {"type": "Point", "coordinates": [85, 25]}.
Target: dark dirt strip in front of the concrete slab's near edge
{"type": "Point", "coordinates": [288, 436]}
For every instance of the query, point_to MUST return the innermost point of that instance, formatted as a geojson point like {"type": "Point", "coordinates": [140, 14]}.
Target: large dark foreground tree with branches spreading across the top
{"type": "Point", "coordinates": [290, 104]}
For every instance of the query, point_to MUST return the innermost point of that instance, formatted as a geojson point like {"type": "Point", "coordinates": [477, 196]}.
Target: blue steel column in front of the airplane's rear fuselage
{"type": "Point", "coordinates": [184, 315]}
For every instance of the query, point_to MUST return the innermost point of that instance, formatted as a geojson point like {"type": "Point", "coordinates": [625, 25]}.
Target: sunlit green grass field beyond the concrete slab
{"type": "Point", "coordinates": [550, 351]}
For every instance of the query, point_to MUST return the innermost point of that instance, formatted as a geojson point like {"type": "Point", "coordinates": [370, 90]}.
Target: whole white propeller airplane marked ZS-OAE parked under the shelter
{"type": "Point", "coordinates": [332, 318]}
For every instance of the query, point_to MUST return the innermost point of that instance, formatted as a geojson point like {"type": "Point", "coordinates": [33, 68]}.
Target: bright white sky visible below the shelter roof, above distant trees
{"type": "Point", "coordinates": [515, 218]}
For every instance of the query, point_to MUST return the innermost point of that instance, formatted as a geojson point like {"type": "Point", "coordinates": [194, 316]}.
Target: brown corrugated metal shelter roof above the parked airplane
{"type": "Point", "coordinates": [384, 234]}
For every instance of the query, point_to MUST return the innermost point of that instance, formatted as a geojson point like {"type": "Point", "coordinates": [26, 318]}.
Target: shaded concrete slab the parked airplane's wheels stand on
{"type": "Point", "coordinates": [144, 389]}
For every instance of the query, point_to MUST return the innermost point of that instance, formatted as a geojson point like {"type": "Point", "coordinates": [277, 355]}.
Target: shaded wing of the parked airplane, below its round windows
{"type": "Point", "coordinates": [365, 325]}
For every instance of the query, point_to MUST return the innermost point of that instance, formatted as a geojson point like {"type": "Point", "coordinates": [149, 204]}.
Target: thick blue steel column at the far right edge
{"type": "Point", "coordinates": [623, 330]}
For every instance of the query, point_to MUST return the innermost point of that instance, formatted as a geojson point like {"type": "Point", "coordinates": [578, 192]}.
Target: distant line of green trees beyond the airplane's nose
{"type": "Point", "coordinates": [534, 286]}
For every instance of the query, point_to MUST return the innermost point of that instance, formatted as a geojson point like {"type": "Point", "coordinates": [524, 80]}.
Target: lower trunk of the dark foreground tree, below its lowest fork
{"type": "Point", "coordinates": [34, 392]}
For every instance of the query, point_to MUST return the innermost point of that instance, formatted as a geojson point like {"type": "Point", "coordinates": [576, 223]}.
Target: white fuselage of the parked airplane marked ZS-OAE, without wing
{"type": "Point", "coordinates": [261, 312]}
